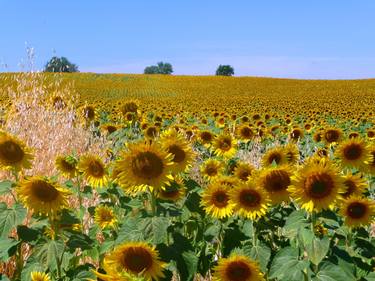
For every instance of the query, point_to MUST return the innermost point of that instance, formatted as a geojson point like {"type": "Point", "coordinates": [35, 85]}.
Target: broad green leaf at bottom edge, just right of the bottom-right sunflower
{"type": "Point", "coordinates": [286, 266]}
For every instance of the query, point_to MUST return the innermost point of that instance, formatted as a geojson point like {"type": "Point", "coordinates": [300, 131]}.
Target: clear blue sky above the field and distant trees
{"type": "Point", "coordinates": [300, 39]}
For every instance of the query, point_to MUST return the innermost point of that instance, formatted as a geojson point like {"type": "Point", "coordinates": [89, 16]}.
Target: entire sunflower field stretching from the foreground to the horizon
{"type": "Point", "coordinates": [152, 177]}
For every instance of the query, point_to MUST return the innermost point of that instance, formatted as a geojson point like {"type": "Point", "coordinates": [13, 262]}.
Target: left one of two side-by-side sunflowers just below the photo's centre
{"type": "Point", "coordinates": [215, 200]}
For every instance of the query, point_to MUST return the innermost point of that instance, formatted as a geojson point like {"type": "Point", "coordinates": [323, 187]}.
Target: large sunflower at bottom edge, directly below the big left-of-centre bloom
{"type": "Point", "coordinates": [136, 258]}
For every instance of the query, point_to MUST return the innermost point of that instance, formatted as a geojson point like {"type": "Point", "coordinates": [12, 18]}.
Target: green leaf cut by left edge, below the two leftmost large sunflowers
{"type": "Point", "coordinates": [9, 218]}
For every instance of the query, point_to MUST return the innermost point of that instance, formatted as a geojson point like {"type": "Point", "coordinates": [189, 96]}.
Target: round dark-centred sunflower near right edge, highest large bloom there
{"type": "Point", "coordinates": [353, 153]}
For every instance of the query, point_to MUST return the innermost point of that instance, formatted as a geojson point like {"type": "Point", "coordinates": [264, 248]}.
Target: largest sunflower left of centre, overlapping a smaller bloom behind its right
{"type": "Point", "coordinates": [143, 164]}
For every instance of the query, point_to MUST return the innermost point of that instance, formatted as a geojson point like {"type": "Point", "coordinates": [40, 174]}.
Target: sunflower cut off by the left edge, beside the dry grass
{"type": "Point", "coordinates": [14, 153]}
